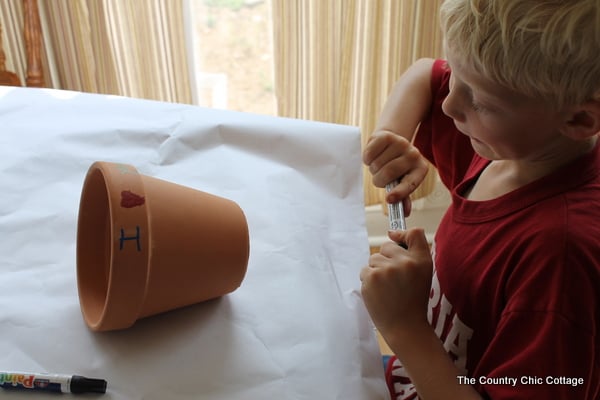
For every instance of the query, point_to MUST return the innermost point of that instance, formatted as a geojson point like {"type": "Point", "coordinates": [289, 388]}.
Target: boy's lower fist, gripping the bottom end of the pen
{"type": "Point", "coordinates": [397, 283]}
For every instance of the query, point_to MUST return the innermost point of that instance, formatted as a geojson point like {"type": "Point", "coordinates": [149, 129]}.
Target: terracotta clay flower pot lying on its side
{"type": "Point", "coordinates": [145, 246]}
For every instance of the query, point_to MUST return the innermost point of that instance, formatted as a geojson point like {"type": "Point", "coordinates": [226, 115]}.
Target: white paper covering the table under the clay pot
{"type": "Point", "coordinates": [295, 329]}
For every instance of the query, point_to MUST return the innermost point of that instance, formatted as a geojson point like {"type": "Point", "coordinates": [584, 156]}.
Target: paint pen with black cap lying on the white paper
{"type": "Point", "coordinates": [51, 382]}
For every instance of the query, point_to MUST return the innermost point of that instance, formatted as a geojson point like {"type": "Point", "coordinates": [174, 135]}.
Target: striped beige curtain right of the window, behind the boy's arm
{"type": "Point", "coordinates": [336, 60]}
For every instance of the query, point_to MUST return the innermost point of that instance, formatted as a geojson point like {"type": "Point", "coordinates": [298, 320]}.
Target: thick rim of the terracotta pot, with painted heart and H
{"type": "Point", "coordinates": [112, 299]}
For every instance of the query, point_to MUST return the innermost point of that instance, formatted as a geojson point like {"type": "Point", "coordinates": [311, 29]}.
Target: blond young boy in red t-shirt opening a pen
{"type": "Point", "coordinates": [506, 305]}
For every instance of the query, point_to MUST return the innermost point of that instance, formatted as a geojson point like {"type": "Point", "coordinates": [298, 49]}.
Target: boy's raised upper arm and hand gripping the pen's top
{"type": "Point", "coordinates": [389, 153]}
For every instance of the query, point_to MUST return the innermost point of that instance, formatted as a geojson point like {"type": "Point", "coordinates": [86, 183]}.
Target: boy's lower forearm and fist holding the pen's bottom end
{"type": "Point", "coordinates": [395, 288]}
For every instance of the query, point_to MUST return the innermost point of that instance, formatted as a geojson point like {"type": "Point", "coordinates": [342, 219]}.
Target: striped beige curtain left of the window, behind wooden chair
{"type": "Point", "coordinates": [124, 47]}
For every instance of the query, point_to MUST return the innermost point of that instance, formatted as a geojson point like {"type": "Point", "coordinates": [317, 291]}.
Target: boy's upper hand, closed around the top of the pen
{"type": "Point", "coordinates": [389, 156]}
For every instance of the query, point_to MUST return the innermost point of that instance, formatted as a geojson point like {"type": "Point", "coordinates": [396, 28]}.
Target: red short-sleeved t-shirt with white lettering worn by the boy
{"type": "Point", "coordinates": [516, 291]}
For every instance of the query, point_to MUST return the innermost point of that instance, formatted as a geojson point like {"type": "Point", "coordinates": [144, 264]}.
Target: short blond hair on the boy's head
{"type": "Point", "coordinates": [545, 49]}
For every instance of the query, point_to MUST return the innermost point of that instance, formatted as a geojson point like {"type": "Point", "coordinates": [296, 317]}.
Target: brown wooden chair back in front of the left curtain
{"type": "Point", "coordinates": [32, 34]}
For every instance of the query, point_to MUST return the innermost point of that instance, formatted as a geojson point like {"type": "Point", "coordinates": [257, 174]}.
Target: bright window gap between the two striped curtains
{"type": "Point", "coordinates": [233, 54]}
